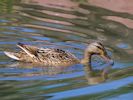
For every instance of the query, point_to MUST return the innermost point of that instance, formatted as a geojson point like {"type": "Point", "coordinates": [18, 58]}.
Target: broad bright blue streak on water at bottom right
{"type": "Point", "coordinates": [93, 89]}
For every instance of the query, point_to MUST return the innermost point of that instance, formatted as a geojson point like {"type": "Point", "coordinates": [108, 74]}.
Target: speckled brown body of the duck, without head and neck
{"type": "Point", "coordinates": [45, 56]}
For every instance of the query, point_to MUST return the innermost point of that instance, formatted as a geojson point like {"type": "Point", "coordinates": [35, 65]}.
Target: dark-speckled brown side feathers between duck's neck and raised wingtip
{"type": "Point", "coordinates": [56, 56]}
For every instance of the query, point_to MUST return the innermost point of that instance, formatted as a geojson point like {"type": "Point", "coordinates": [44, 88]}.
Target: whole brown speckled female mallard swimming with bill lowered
{"type": "Point", "coordinates": [56, 57]}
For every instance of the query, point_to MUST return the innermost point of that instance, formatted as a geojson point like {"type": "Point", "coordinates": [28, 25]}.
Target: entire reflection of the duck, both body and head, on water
{"type": "Point", "coordinates": [92, 76]}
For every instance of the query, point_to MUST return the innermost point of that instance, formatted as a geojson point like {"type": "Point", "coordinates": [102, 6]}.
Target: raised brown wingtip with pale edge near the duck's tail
{"type": "Point", "coordinates": [28, 49]}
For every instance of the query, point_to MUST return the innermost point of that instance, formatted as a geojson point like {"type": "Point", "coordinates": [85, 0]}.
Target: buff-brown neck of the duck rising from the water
{"type": "Point", "coordinates": [86, 61]}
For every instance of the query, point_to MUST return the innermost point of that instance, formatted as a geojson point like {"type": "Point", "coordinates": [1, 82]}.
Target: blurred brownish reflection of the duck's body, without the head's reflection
{"type": "Point", "coordinates": [36, 69]}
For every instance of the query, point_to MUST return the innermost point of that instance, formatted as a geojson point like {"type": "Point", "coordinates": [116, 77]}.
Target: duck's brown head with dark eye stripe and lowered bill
{"type": "Point", "coordinates": [98, 49]}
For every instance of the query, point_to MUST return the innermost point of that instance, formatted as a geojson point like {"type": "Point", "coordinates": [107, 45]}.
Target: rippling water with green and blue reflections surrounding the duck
{"type": "Point", "coordinates": [70, 29]}
